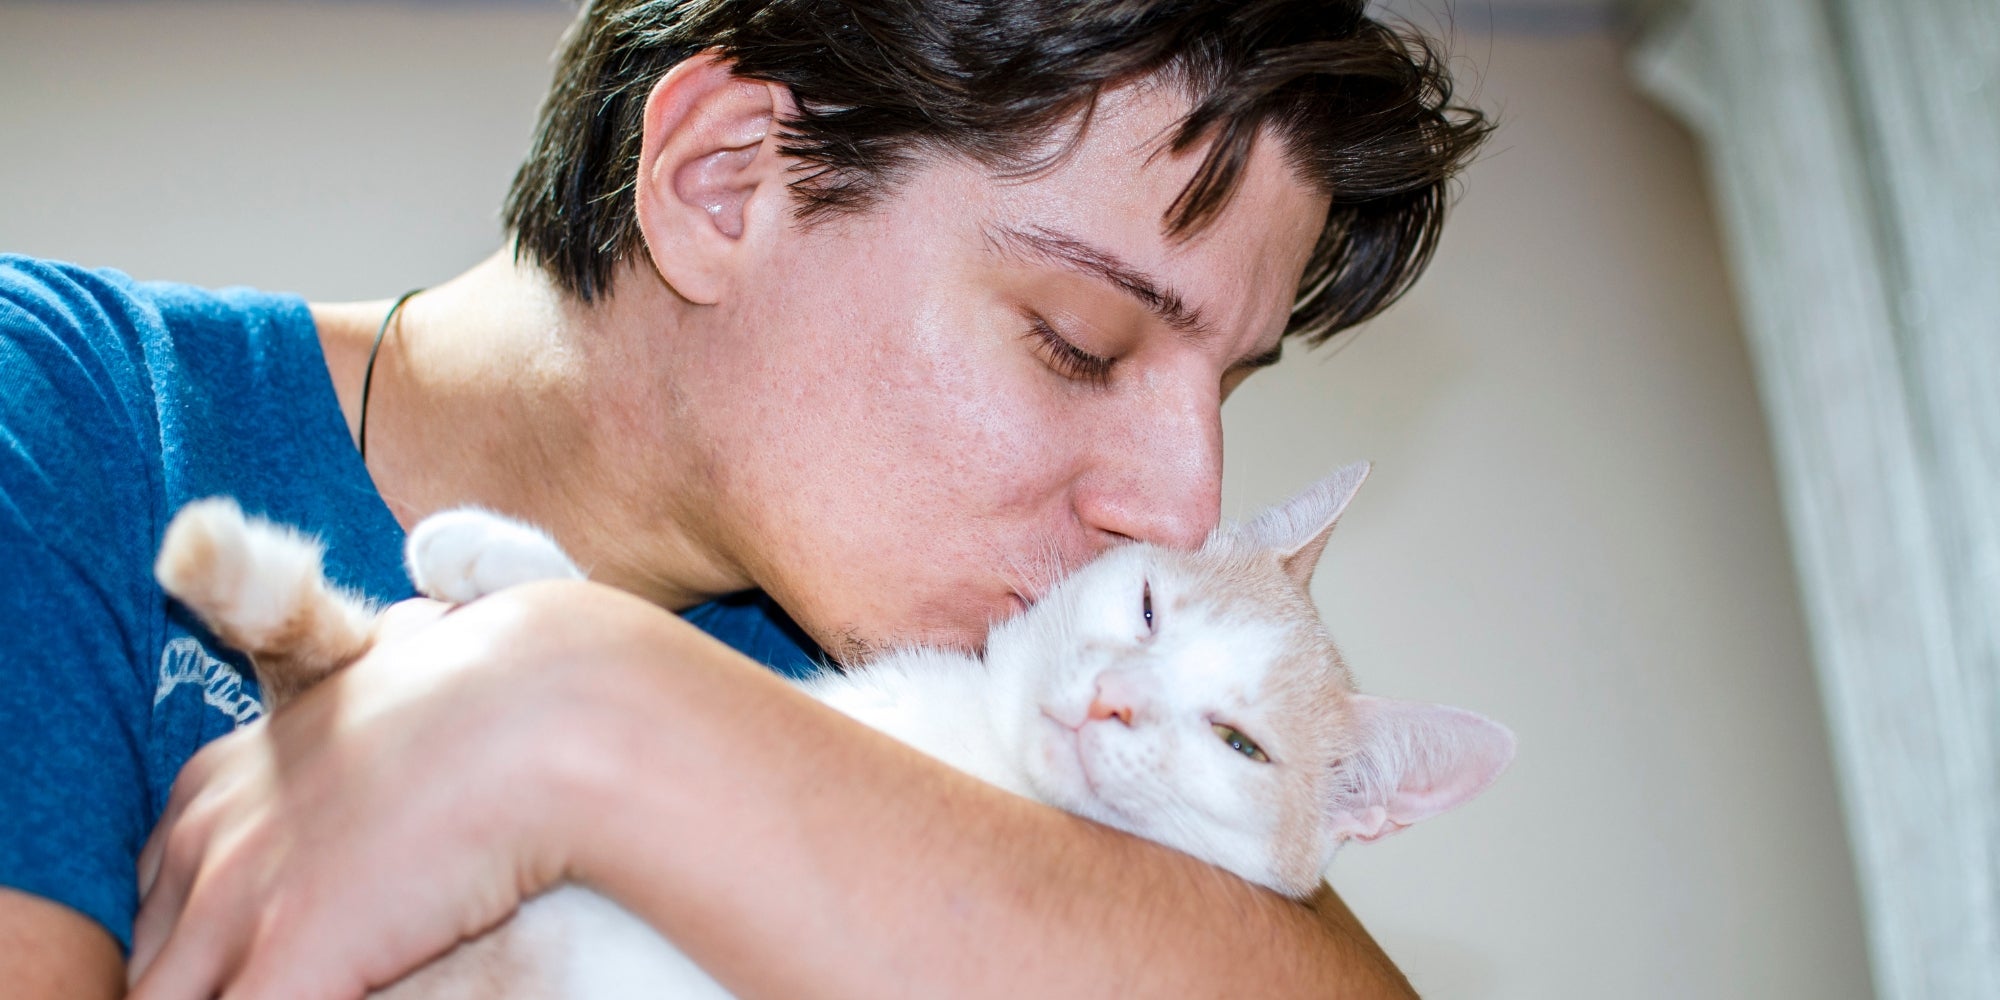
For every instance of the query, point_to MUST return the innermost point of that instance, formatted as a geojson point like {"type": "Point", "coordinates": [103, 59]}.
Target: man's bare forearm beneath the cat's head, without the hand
{"type": "Point", "coordinates": [799, 855]}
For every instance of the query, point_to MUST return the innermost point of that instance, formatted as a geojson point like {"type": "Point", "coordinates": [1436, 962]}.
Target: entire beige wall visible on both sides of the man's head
{"type": "Point", "coordinates": [1573, 523]}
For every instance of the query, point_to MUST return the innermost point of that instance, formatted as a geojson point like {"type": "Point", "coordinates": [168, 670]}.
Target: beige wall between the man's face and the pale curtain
{"type": "Point", "coordinates": [1575, 529]}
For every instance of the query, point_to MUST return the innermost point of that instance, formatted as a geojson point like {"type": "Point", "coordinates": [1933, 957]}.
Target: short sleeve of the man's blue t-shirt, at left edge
{"type": "Point", "coordinates": [77, 597]}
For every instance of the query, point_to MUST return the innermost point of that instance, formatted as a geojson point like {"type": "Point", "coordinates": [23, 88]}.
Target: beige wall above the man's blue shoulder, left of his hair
{"type": "Point", "coordinates": [329, 149]}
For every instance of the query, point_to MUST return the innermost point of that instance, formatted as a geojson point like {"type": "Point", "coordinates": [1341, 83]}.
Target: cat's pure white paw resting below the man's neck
{"type": "Point", "coordinates": [465, 555]}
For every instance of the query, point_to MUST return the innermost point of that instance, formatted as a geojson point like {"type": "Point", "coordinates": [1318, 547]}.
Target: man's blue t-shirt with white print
{"type": "Point", "coordinates": [121, 403]}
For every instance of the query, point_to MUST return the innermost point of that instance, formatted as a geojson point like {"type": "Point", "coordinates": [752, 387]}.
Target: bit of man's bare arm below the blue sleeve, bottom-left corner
{"type": "Point", "coordinates": [53, 953]}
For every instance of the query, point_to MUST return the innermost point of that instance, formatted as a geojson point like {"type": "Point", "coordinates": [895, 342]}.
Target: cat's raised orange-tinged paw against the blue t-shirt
{"type": "Point", "coordinates": [243, 577]}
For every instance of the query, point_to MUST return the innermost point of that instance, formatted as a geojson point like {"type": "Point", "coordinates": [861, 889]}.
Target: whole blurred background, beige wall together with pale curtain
{"type": "Point", "coordinates": [1609, 505]}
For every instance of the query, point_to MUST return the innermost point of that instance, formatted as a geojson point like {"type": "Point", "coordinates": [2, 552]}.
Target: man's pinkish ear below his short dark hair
{"type": "Point", "coordinates": [709, 173]}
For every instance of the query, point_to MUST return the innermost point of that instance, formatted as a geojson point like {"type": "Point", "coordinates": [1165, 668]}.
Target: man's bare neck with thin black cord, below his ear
{"type": "Point", "coordinates": [499, 391]}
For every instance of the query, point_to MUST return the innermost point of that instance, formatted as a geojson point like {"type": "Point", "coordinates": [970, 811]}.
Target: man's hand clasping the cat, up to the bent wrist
{"type": "Point", "coordinates": [361, 831]}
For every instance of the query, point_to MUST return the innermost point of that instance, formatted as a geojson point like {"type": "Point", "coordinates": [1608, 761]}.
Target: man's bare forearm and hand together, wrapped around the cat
{"type": "Point", "coordinates": [567, 731]}
